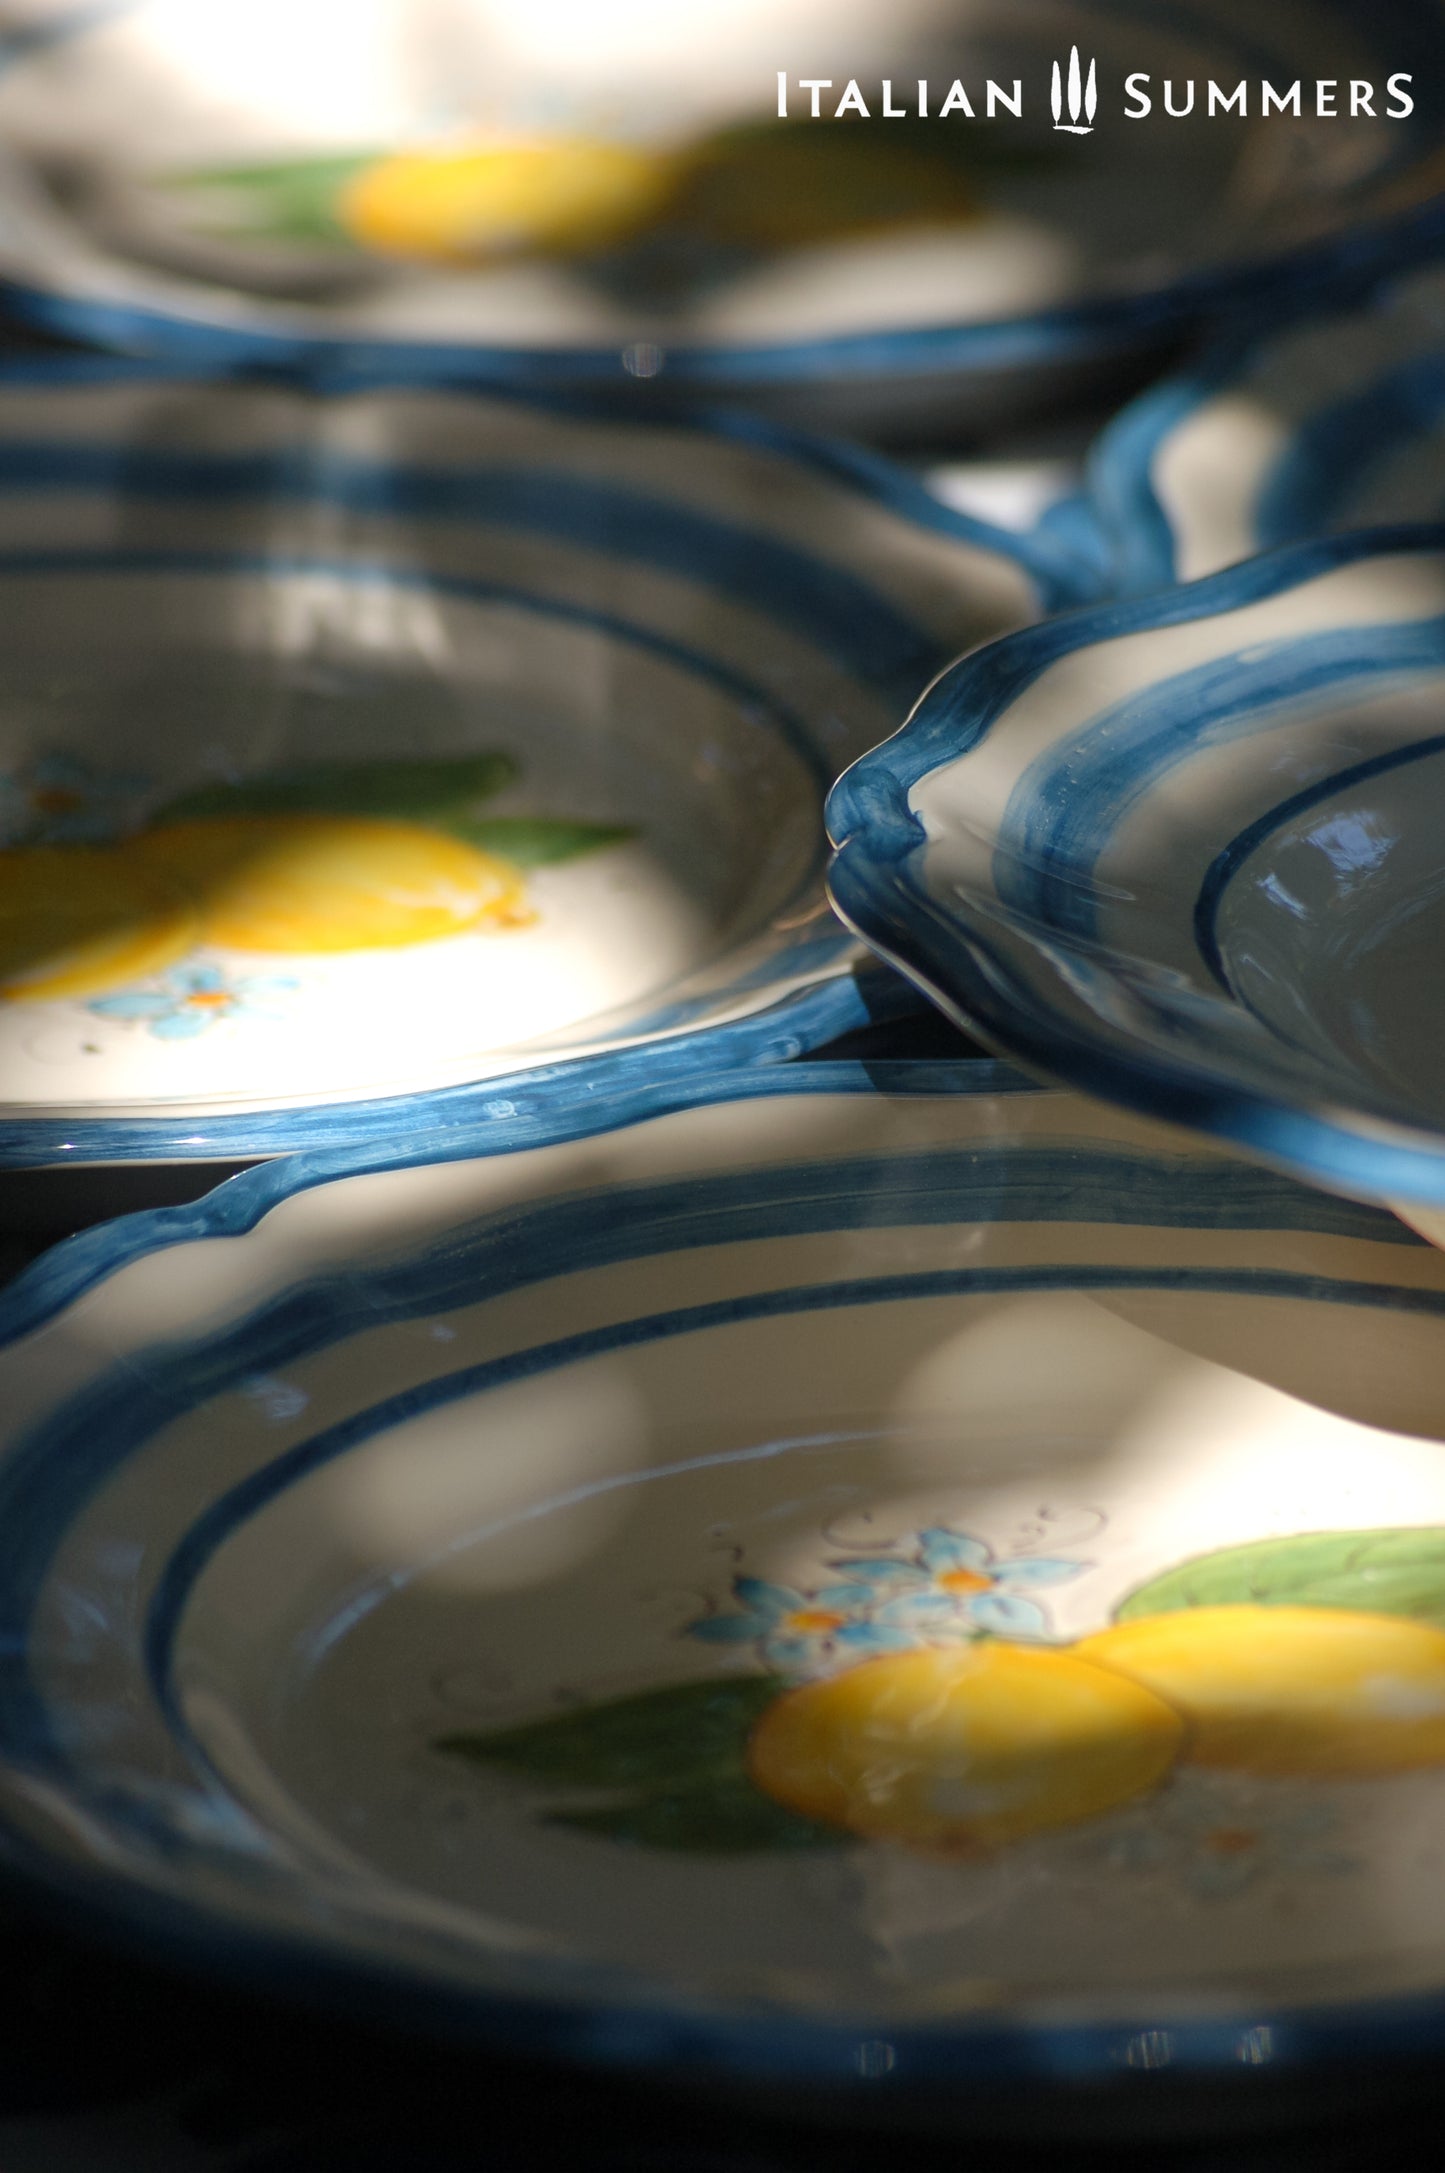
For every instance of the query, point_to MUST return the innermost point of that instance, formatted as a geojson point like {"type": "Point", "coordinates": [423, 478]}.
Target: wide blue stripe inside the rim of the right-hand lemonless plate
{"type": "Point", "coordinates": [1068, 805]}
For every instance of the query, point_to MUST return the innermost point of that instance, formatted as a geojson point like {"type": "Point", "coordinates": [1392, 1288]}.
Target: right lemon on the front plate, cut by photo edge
{"type": "Point", "coordinates": [1292, 1690]}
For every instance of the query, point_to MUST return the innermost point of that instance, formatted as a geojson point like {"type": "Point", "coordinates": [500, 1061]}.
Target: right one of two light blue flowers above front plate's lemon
{"type": "Point", "coordinates": [955, 1587]}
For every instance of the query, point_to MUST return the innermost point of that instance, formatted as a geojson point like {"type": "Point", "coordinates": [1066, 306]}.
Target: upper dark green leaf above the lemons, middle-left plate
{"type": "Point", "coordinates": [442, 792]}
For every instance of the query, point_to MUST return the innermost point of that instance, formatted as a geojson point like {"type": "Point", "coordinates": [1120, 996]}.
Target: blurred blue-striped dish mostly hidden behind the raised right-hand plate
{"type": "Point", "coordinates": [1329, 425]}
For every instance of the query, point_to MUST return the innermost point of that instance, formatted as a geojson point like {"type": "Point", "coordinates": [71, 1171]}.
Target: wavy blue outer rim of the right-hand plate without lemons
{"type": "Point", "coordinates": [877, 888]}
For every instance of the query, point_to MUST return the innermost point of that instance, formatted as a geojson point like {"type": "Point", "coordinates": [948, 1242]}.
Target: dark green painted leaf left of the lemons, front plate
{"type": "Point", "coordinates": [673, 1761]}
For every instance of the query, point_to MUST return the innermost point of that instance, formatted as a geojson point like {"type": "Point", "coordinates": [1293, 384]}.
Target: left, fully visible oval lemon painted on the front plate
{"type": "Point", "coordinates": [966, 1748]}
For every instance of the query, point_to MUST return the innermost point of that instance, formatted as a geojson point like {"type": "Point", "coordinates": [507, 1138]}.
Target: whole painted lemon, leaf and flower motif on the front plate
{"type": "Point", "coordinates": [920, 1698]}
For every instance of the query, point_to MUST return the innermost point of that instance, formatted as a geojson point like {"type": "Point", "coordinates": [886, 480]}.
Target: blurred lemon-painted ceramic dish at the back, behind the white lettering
{"type": "Point", "coordinates": [497, 190]}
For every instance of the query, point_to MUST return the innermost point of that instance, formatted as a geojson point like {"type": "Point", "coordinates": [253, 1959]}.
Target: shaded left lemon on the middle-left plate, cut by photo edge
{"type": "Point", "coordinates": [79, 920]}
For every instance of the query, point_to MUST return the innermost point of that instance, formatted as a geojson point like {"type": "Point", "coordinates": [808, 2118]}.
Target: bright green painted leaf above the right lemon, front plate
{"type": "Point", "coordinates": [1385, 1572]}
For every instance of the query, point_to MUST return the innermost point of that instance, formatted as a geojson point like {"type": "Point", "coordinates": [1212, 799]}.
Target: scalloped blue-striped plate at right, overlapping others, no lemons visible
{"type": "Point", "coordinates": [1188, 853]}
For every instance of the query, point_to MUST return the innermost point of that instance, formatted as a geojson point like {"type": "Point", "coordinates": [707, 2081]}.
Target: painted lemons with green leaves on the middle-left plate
{"type": "Point", "coordinates": [318, 859]}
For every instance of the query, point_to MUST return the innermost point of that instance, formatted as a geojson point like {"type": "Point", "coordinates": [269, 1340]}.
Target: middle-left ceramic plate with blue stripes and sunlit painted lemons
{"type": "Point", "coordinates": [360, 749]}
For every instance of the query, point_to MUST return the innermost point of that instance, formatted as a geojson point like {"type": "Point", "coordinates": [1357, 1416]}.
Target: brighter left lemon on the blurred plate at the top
{"type": "Point", "coordinates": [483, 201]}
